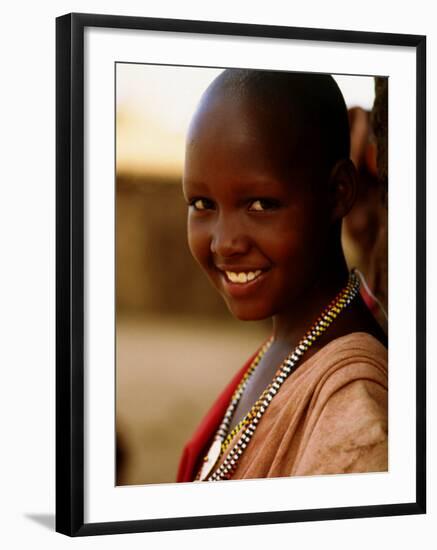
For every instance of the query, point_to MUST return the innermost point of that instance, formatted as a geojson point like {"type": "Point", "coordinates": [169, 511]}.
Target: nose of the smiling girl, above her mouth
{"type": "Point", "coordinates": [229, 237]}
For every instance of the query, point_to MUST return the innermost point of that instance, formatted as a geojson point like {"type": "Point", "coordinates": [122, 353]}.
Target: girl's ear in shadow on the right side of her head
{"type": "Point", "coordinates": [342, 188]}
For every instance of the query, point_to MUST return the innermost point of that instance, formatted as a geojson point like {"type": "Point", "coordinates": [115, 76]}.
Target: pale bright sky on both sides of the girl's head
{"type": "Point", "coordinates": [155, 105]}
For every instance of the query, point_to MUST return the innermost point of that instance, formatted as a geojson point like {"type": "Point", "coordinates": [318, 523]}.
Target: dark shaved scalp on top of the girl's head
{"type": "Point", "coordinates": [305, 112]}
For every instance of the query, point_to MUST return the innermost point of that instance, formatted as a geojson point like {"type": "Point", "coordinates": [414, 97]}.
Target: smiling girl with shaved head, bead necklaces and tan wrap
{"type": "Point", "coordinates": [267, 181]}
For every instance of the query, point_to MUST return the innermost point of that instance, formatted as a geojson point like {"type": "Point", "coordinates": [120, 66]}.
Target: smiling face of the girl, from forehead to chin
{"type": "Point", "coordinates": [257, 222]}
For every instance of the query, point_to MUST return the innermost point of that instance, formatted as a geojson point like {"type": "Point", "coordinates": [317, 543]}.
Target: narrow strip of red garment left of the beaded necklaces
{"type": "Point", "coordinates": [197, 446]}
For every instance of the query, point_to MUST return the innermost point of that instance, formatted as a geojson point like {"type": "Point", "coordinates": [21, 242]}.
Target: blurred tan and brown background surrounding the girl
{"type": "Point", "coordinates": [177, 345]}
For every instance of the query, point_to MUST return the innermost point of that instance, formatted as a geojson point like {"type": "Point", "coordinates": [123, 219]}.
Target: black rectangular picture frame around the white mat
{"type": "Point", "coordinates": [70, 272]}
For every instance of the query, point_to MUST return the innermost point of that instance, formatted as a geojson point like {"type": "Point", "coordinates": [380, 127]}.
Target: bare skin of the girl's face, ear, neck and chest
{"type": "Point", "coordinates": [259, 205]}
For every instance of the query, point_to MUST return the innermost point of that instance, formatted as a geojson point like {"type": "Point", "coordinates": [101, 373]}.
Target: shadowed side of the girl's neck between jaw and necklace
{"type": "Point", "coordinates": [291, 324]}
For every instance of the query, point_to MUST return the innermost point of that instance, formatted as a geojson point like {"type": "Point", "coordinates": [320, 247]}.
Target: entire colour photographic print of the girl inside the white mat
{"type": "Point", "coordinates": [278, 140]}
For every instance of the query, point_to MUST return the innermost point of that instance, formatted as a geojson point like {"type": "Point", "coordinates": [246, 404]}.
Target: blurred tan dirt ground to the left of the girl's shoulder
{"type": "Point", "coordinates": [169, 371]}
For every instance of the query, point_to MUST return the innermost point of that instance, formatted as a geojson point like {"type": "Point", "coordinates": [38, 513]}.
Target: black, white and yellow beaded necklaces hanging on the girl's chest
{"type": "Point", "coordinates": [250, 422]}
